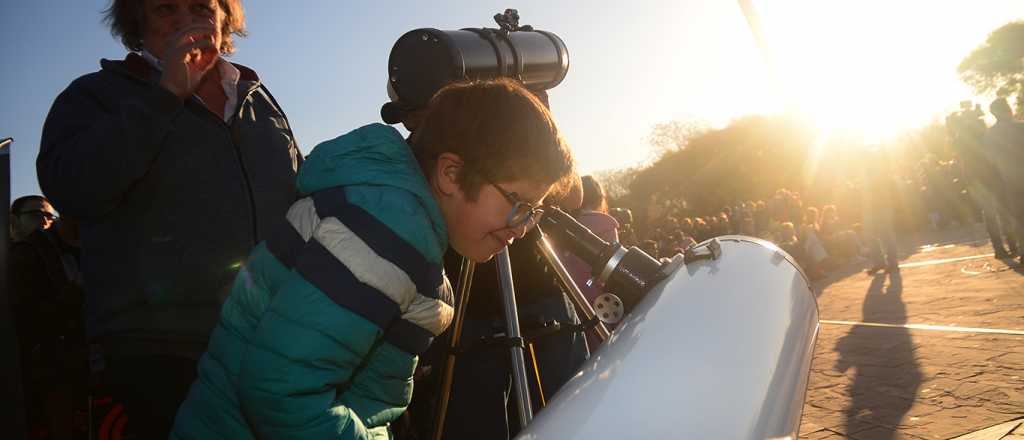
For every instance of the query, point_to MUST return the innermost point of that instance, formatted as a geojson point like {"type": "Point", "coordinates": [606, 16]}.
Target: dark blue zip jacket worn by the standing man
{"type": "Point", "coordinates": [170, 197]}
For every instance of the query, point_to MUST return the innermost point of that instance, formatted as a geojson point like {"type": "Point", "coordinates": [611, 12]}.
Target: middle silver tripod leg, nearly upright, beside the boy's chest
{"type": "Point", "coordinates": [514, 333]}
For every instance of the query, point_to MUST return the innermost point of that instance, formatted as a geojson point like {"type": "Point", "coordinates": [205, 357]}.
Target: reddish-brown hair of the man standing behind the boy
{"type": "Point", "coordinates": [126, 21]}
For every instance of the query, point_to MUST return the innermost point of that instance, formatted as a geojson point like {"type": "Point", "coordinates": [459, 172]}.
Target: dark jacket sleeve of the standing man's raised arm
{"type": "Point", "coordinates": [97, 144]}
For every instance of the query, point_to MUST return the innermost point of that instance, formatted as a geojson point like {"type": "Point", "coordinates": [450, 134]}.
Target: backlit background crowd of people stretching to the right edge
{"type": "Point", "coordinates": [975, 184]}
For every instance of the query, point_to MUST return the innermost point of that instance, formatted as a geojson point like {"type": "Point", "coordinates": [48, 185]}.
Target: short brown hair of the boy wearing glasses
{"type": "Point", "coordinates": [502, 133]}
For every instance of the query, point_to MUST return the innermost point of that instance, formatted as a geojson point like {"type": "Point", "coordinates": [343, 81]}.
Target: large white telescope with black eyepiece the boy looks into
{"type": "Point", "coordinates": [719, 345]}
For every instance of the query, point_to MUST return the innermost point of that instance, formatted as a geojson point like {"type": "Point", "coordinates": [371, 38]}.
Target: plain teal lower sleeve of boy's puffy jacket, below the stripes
{"type": "Point", "coordinates": [306, 347]}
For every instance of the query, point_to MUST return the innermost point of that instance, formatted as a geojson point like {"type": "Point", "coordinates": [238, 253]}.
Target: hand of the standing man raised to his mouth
{"type": "Point", "coordinates": [190, 55]}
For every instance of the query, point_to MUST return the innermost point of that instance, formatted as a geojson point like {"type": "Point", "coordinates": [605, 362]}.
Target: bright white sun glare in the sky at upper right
{"type": "Point", "coordinates": [875, 67]}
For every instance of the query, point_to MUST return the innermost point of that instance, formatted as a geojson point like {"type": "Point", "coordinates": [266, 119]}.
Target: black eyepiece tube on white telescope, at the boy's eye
{"type": "Point", "coordinates": [633, 273]}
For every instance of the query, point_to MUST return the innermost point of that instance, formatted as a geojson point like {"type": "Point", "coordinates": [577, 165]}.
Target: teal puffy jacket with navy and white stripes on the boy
{"type": "Point", "coordinates": [320, 336]}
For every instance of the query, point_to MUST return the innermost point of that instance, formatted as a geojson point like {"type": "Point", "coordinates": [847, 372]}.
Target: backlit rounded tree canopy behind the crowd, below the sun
{"type": "Point", "coordinates": [755, 156]}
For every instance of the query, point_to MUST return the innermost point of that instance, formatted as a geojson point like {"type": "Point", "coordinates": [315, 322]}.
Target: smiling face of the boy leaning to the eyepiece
{"type": "Point", "coordinates": [479, 229]}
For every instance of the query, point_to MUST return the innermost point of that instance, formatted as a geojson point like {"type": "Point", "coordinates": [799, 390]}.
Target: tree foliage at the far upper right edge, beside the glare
{"type": "Point", "coordinates": [998, 65]}
